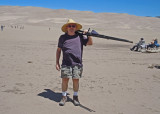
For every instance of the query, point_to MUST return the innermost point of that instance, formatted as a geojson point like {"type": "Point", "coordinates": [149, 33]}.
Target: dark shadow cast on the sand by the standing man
{"type": "Point", "coordinates": [57, 98]}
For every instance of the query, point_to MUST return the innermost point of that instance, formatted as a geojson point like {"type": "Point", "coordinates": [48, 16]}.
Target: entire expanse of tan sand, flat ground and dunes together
{"type": "Point", "coordinates": [115, 80]}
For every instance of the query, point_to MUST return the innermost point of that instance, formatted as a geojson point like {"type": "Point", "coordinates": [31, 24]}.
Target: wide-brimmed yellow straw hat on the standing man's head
{"type": "Point", "coordinates": [71, 21]}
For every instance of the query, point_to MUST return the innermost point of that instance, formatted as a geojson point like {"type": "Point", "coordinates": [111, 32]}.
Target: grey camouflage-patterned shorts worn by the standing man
{"type": "Point", "coordinates": [74, 72]}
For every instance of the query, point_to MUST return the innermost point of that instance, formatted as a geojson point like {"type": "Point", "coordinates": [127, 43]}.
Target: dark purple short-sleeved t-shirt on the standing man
{"type": "Point", "coordinates": [72, 48]}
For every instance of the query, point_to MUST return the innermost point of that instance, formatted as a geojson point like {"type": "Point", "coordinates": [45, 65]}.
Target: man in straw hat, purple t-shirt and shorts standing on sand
{"type": "Point", "coordinates": [71, 44]}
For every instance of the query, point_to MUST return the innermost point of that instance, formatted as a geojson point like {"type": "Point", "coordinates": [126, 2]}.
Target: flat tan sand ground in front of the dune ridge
{"type": "Point", "coordinates": [115, 80]}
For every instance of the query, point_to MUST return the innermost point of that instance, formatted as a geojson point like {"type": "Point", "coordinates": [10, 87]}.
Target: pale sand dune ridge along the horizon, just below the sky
{"type": "Point", "coordinates": [44, 16]}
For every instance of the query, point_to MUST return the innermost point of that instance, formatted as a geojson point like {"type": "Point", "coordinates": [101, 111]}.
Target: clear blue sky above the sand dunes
{"type": "Point", "coordinates": [132, 7]}
